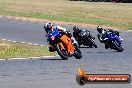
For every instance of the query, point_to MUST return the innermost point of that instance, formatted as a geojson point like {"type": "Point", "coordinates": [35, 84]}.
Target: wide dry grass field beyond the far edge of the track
{"type": "Point", "coordinates": [109, 14]}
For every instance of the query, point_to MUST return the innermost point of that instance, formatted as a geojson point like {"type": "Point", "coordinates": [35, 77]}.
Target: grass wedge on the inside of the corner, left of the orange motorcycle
{"type": "Point", "coordinates": [19, 50]}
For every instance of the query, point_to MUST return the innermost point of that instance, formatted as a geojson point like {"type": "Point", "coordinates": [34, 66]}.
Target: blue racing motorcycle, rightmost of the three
{"type": "Point", "coordinates": [113, 41]}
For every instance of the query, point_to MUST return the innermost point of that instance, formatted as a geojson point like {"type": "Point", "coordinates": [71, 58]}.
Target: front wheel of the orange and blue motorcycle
{"type": "Point", "coordinates": [62, 53]}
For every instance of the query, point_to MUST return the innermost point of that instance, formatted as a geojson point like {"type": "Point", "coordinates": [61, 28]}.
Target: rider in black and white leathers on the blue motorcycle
{"type": "Point", "coordinates": [102, 33]}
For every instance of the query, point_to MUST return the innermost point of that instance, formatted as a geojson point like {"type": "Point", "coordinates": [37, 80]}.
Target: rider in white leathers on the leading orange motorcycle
{"type": "Point", "coordinates": [49, 27]}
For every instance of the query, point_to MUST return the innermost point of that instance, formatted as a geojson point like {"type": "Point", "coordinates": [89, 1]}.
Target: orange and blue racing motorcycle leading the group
{"type": "Point", "coordinates": [64, 45]}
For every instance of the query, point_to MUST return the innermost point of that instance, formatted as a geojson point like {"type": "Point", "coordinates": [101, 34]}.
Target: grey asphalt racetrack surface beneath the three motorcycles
{"type": "Point", "coordinates": [54, 72]}
